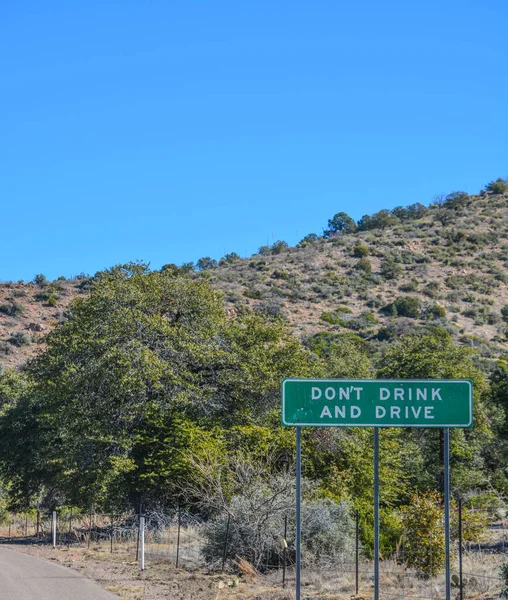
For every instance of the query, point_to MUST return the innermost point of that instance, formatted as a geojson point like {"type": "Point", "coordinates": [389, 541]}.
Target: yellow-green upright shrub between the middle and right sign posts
{"type": "Point", "coordinates": [424, 544]}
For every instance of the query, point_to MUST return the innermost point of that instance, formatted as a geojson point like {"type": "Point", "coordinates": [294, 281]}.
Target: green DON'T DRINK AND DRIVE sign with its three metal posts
{"type": "Point", "coordinates": [424, 403]}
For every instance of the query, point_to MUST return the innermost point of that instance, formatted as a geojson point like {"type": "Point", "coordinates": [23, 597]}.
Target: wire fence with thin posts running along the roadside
{"type": "Point", "coordinates": [181, 538]}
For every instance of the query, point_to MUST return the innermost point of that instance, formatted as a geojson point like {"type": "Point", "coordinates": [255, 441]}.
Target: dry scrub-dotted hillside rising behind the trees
{"type": "Point", "coordinates": [446, 266]}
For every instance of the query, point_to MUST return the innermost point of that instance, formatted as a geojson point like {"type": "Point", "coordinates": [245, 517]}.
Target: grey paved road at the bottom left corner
{"type": "Point", "coordinates": [24, 577]}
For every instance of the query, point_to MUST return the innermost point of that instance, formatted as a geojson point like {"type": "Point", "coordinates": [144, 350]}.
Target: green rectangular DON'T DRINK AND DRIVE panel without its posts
{"type": "Point", "coordinates": [377, 402]}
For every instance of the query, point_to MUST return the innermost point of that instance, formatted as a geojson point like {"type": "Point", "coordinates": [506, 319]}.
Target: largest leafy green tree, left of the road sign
{"type": "Point", "coordinates": [145, 367]}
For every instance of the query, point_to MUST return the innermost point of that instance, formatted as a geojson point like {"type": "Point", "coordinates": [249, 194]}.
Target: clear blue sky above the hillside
{"type": "Point", "coordinates": [167, 131]}
